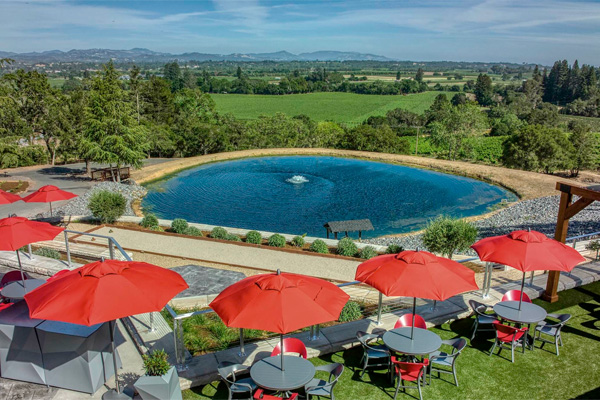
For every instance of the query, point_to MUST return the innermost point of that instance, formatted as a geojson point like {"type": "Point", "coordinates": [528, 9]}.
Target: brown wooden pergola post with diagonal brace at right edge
{"type": "Point", "coordinates": [567, 209]}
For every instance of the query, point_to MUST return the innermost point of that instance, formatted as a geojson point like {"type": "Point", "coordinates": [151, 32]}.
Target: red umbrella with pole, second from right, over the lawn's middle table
{"type": "Point", "coordinates": [416, 274]}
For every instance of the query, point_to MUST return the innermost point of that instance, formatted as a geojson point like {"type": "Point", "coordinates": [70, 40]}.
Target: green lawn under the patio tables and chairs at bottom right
{"type": "Point", "coordinates": [537, 374]}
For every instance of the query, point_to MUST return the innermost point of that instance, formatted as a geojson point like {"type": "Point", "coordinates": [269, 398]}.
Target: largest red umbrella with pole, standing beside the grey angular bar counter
{"type": "Point", "coordinates": [105, 291]}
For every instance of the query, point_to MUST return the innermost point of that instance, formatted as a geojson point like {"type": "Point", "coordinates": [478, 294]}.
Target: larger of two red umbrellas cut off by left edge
{"type": "Point", "coordinates": [16, 232]}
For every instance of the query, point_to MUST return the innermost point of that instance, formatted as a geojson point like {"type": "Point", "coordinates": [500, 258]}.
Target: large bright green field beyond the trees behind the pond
{"type": "Point", "coordinates": [322, 106]}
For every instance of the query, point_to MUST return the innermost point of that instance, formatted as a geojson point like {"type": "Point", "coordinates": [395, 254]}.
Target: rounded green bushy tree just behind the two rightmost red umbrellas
{"type": "Point", "coordinates": [446, 235]}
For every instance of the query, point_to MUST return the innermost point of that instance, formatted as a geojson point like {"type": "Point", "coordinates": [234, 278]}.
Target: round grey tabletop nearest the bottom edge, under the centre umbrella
{"type": "Point", "coordinates": [297, 372]}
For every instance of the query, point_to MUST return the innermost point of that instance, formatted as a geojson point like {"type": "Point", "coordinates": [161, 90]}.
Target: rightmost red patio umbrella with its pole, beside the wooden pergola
{"type": "Point", "coordinates": [528, 251]}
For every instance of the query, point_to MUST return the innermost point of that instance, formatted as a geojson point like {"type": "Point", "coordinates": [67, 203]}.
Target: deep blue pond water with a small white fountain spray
{"type": "Point", "coordinates": [261, 193]}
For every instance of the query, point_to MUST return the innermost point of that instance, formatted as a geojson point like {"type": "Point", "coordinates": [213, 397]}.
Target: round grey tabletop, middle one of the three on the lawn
{"type": "Point", "coordinates": [423, 341]}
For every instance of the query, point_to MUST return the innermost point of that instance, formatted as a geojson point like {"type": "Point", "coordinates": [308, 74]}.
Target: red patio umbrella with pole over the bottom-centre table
{"type": "Point", "coordinates": [279, 302]}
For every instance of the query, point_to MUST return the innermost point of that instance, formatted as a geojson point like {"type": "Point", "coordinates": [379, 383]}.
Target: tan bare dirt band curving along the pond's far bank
{"type": "Point", "coordinates": [527, 185]}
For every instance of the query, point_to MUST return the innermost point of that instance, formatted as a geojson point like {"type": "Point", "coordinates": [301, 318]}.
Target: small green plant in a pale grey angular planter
{"type": "Point", "coordinates": [161, 381]}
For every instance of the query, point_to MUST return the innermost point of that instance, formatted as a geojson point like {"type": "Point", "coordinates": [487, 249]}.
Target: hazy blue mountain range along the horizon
{"type": "Point", "coordinates": [145, 55]}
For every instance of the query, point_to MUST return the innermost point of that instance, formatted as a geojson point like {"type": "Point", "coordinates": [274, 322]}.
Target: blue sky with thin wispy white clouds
{"type": "Point", "coordinates": [493, 30]}
